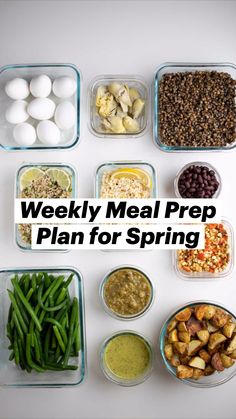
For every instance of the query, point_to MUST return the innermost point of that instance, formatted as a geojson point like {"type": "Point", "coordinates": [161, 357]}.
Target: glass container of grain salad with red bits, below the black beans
{"type": "Point", "coordinates": [216, 260]}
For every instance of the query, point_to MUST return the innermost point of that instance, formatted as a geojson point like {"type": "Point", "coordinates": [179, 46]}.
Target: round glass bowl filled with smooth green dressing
{"type": "Point", "coordinates": [122, 358]}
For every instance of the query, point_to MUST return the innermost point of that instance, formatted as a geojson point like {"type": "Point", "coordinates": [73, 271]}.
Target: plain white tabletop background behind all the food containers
{"type": "Point", "coordinates": [108, 38]}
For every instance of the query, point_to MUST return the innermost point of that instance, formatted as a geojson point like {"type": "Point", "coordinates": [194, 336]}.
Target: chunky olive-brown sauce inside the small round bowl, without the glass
{"type": "Point", "coordinates": [127, 292]}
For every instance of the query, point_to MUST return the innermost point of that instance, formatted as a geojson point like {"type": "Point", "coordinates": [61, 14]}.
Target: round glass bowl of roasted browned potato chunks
{"type": "Point", "coordinates": [198, 344]}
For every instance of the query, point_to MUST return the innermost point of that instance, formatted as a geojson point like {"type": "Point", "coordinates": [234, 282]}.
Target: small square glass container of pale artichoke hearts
{"type": "Point", "coordinates": [118, 106]}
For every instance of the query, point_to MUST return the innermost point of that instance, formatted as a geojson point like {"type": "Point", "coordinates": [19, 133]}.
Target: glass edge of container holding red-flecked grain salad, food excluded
{"type": "Point", "coordinates": [204, 276]}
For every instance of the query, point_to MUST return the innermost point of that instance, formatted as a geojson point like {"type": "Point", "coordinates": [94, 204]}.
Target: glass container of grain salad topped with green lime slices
{"type": "Point", "coordinates": [42, 180]}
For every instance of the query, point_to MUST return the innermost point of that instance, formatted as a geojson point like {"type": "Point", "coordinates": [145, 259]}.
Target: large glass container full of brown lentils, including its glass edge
{"type": "Point", "coordinates": [194, 107]}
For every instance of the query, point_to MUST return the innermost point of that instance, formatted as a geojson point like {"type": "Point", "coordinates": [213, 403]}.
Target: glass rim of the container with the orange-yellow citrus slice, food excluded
{"type": "Point", "coordinates": [109, 166]}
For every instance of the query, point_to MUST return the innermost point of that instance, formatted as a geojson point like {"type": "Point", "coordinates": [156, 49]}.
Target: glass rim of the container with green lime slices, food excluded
{"type": "Point", "coordinates": [66, 167]}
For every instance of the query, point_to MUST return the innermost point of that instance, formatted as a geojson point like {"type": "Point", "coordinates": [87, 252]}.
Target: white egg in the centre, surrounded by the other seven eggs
{"type": "Point", "coordinates": [41, 108]}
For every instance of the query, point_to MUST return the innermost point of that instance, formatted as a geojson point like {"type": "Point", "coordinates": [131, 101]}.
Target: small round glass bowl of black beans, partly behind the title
{"type": "Point", "coordinates": [197, 180]}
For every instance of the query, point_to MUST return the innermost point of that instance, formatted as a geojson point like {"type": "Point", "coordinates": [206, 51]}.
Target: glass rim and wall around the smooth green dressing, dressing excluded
{"type": "Point", "coordinates": [114, 378]}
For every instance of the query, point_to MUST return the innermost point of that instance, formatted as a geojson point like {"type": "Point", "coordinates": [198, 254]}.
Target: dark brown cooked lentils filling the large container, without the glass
{"type": "Point", "coordinates": [197, 109]}
